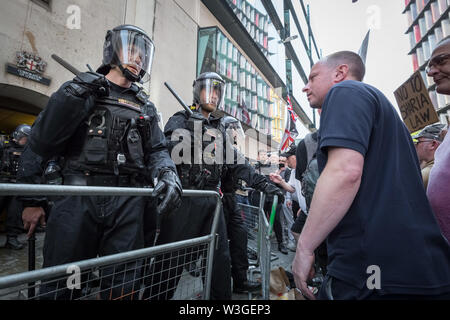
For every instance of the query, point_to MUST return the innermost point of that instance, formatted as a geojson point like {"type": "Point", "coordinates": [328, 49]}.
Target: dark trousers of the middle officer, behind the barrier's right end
{"type": "Point", "coordinates": [193, 219]}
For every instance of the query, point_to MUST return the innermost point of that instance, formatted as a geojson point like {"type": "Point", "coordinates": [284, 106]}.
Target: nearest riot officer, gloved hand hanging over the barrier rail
{"type": "Point", "coordinates": [106, 131]}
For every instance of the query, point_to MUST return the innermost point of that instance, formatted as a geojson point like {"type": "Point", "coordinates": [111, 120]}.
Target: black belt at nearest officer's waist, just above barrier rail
{"type": "Point", "coordinates": [102, 181]}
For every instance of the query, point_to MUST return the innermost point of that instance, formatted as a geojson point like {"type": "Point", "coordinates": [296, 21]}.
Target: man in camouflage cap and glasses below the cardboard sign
{"type": "Point", "coordinates": [426, 143]}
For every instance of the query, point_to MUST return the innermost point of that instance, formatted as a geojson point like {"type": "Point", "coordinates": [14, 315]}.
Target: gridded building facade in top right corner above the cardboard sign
{"type": "Point", "coordinates": [428, 23]}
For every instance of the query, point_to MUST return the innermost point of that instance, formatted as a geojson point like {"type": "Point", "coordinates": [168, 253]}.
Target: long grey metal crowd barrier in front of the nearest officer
{"type": "Point", "coordinates": [155, 273]}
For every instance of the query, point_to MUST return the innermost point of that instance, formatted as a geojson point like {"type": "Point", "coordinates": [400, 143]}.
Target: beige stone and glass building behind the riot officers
{"type": "Point", "coordinates": [264, 50]}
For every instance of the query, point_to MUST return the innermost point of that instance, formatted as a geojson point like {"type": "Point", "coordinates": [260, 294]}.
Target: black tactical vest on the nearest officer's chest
{"type": "Point", "coordinates": [112, 138]}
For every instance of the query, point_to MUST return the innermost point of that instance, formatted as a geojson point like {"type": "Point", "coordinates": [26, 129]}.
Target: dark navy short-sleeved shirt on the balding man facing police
{"type": "Point", "coordinates": [390, 223]}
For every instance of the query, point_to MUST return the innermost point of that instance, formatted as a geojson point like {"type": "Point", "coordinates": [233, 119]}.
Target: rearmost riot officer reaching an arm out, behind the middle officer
{"type": "Point", "coordinates": [234, 221]}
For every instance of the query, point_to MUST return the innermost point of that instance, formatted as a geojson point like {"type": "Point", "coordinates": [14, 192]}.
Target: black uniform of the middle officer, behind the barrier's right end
{"type": "Point", "coordinates": [195, 216]}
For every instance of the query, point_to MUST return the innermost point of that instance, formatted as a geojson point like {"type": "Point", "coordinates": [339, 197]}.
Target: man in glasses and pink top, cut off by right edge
{"type": "Point", "coordinates": [439, 182]}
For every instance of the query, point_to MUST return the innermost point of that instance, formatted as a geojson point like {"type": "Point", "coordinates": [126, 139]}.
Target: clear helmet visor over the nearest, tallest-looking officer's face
{"type": "Point", "coordinates": [135, 52]}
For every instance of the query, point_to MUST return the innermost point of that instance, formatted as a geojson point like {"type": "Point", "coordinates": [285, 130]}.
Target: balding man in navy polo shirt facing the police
{"type": "Point", "coordinates": [369, 203]}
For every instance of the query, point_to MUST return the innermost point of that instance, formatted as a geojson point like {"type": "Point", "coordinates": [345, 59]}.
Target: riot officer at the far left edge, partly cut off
{"type": "Point", "coordinates": [10, 153]}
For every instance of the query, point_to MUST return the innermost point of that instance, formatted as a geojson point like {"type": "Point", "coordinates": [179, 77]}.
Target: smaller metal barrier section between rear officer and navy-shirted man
{"type": "Point", "coordinates": [259, 230]}
